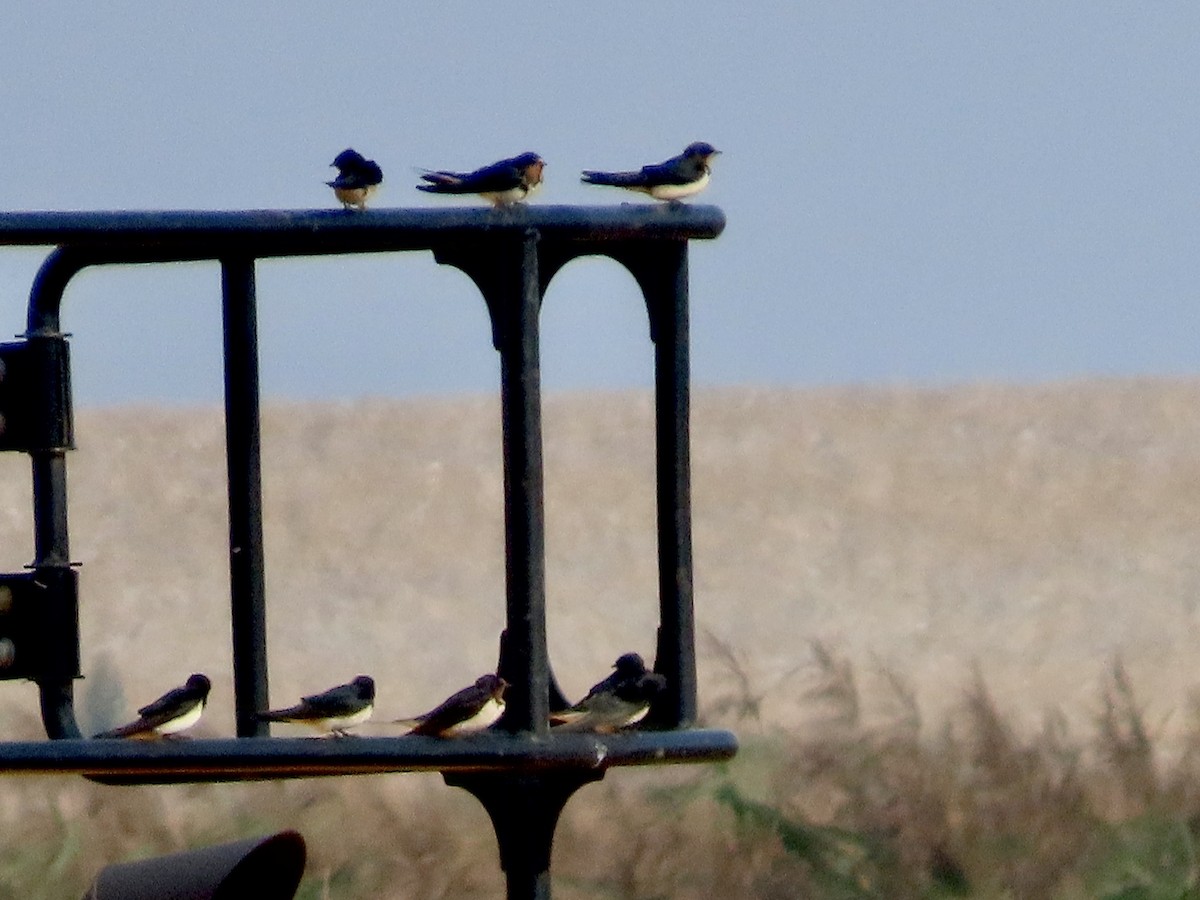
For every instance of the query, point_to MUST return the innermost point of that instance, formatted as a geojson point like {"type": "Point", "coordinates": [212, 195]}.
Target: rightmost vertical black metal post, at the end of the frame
{"type": "Point", "coordinates": [676, 652]}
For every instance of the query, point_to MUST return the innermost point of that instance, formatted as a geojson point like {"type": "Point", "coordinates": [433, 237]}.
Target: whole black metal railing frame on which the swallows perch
{"type": "Point", "coordinates": [521, 773]}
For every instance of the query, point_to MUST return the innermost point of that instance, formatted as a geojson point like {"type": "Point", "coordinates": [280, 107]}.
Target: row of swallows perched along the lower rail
{"type": "Point", "coordinates": [621, 700]}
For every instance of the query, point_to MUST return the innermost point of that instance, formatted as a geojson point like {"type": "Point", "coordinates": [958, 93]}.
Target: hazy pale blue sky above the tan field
{"type": "Point", "coordinates": [916, 193]}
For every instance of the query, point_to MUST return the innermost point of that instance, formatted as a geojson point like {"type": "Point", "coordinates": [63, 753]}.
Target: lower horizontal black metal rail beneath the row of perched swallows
{"type": "Point", "coordinates": [236, 760]}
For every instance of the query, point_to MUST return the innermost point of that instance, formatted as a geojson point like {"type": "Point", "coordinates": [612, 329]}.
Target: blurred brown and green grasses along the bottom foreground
{"type": "Point", "coordinates": [843, 811]}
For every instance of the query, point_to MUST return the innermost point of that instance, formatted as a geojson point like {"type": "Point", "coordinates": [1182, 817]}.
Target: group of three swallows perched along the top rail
{"type": "Point", "coordinates": [511, 182]}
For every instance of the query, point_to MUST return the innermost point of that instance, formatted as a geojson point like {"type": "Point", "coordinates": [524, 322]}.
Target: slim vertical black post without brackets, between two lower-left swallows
{"type": "Point", "coordinates": [243, 454]}
